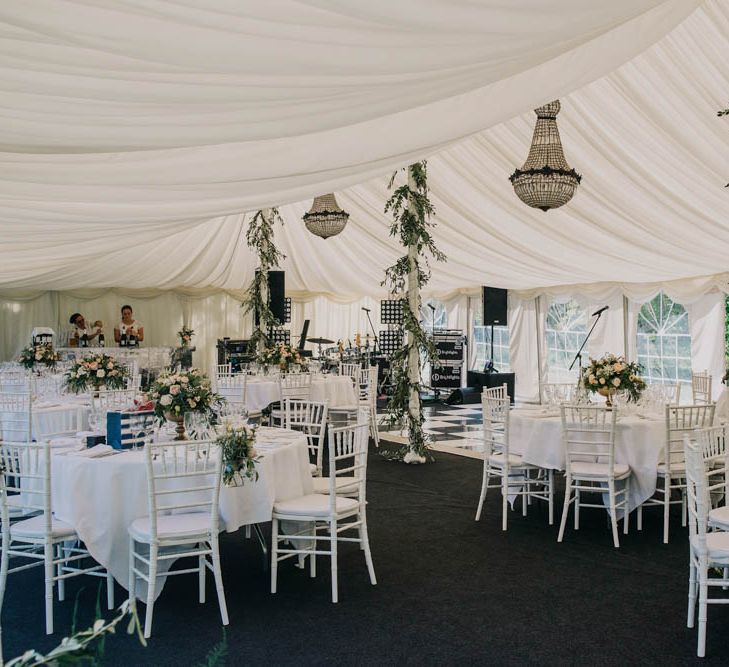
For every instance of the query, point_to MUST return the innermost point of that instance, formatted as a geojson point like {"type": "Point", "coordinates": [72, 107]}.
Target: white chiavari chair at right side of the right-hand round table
{"type": "Point", "coordinates": [680, 421]}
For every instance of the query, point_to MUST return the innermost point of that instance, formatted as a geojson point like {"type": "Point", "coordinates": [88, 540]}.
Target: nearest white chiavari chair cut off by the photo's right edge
{"type": "Point", "coordinates": [708, 552]}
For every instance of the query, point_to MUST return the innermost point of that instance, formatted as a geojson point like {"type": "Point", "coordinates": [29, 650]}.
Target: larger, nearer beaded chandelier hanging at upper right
{"type": "Point", "coordinates": [545, 180]}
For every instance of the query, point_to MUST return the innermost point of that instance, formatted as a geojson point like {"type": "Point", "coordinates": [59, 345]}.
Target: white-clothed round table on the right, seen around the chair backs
{"type": "Point", "coordinates": [537, 436]}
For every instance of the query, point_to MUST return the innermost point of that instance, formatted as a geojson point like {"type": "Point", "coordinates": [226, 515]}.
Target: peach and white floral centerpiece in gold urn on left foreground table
{"type": "Point", "coordinates": [175, 394]}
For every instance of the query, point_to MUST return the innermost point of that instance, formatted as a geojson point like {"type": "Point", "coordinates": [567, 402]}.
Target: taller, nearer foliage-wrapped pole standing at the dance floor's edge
{"type": "Point", "coordinates": [411, 210]}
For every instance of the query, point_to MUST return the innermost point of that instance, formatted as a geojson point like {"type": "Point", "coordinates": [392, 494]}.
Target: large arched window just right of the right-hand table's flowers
{"type": "Point", "coordinates": [664, 341]}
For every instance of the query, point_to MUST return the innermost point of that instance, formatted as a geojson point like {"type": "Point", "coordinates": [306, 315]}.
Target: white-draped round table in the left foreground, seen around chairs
{"type": "Point", "coordinates": [101, 497]}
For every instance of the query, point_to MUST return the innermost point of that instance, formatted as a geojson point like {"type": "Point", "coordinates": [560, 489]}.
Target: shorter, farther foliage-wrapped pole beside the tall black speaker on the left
{"type": "Point", "coordinates": [259, 238]}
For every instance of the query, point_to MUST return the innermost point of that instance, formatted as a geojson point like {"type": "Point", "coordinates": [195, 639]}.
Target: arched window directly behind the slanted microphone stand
{"type": "Point", "coordinates": [565, 329]}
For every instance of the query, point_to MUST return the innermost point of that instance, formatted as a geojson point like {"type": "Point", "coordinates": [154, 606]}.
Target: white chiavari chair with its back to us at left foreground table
{"type": "Point", "coordinates": [183, 489]}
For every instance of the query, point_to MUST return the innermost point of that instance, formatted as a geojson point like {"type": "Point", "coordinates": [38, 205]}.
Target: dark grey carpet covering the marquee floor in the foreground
{"type": "Point", "coordinates": [450, 591]}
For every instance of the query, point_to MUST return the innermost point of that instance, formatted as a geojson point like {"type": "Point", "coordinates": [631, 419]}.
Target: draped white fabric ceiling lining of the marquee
{"type": "Point", "coordinates": [134, 134]}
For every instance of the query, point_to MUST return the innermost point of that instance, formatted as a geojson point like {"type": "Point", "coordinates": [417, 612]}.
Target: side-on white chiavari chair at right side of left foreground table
{"type": "Point", "coordinates": [337, 513]}
